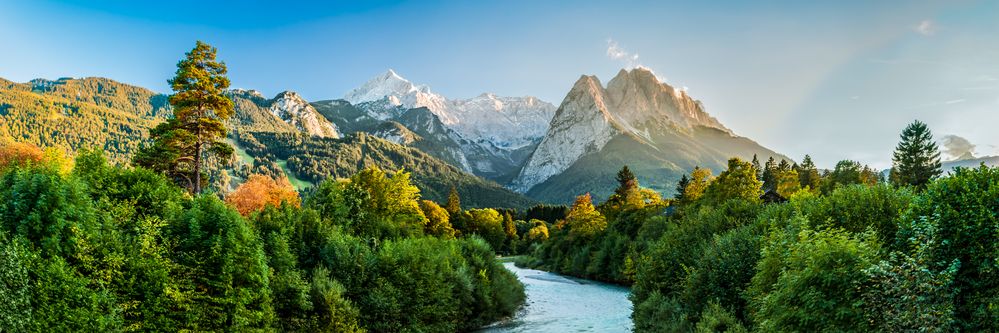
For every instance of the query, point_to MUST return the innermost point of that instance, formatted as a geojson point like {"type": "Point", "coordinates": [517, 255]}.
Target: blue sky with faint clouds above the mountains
{"type": "Point", "coordinates": [836, 80]}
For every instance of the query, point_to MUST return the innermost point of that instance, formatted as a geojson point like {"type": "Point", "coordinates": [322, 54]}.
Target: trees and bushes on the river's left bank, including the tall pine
{"type": "Point", "coordinates": [90, 245]}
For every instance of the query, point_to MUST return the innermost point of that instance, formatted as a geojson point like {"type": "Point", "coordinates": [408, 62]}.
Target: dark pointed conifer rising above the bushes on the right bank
{"type": "Point", "coordinates": [916, 160]}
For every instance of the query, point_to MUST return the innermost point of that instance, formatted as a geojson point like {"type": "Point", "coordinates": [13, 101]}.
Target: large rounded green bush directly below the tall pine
{"type": "Point", "coordinates": [221, 254]}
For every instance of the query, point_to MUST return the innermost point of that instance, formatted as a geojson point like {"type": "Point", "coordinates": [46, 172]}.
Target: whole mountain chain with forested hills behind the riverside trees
{"type": "Point", "coordinates": [515, 150]}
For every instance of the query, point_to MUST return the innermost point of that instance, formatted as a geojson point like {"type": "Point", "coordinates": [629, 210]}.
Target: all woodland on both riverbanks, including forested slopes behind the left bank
{"type": "Point", "coordinates": [139, 234]}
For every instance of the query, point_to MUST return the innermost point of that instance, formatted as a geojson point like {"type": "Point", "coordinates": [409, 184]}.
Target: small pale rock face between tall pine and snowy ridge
{"type": "Point", "coordinates": [294, 110]}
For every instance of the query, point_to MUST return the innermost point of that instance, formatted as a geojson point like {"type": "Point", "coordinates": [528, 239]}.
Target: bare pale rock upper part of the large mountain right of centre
{"type": "Point", "coordinates": [635, 103]}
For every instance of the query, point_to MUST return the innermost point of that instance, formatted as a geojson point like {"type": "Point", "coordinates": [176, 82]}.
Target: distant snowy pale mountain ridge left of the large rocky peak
{"type": "Point", "coordinates": [495, 133]}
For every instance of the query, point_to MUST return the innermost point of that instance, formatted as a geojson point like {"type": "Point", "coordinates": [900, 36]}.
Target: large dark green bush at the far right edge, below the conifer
{"type": "Point", "coordinates": [962, 210]}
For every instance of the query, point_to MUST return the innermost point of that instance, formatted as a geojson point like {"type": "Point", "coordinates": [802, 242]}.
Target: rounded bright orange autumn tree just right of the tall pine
{"type": "Point", "coordinates": [259, 191]}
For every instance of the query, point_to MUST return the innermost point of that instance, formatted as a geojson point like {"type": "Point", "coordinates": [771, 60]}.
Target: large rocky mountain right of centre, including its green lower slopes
{"type": "Point", "coordinates": [657, 130]}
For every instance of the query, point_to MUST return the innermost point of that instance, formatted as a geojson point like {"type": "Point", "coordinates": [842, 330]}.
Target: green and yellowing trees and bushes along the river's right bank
{"type": "Point", "coordinates": [786, 248]}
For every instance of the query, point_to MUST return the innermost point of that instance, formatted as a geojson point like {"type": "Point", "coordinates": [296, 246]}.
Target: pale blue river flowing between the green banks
{"type": "Point", "coordinates": [559, 304]}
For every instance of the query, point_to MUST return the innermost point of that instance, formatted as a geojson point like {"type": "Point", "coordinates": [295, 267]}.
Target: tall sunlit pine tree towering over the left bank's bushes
{"type": "Point", "coordinates": [200, 109]}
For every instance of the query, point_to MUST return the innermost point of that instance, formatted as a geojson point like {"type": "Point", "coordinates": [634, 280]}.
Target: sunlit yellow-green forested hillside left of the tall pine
{"type": "Point", "coordinates": [81, 113]}
